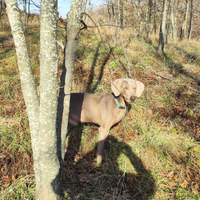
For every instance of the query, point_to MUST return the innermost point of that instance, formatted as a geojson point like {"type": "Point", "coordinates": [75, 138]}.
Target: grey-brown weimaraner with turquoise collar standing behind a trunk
{"type": "Point", "coordinates": [105, 110]}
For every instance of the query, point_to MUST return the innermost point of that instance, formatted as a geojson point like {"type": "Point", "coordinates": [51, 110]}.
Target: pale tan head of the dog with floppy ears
{"type": "Point", "coordinates": [128, 88]}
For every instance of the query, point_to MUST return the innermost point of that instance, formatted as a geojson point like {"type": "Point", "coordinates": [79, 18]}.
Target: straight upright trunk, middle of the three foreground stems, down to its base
{"type": "Point", "coordinates": [49, 161]}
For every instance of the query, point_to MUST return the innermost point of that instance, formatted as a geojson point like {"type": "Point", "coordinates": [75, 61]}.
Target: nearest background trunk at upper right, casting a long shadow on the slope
{"type": "Point", "coordinates": [162, 27]}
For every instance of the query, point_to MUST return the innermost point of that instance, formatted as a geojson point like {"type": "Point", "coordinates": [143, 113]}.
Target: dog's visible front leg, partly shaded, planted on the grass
{"type": "Point", "coordinates": [103, 133]}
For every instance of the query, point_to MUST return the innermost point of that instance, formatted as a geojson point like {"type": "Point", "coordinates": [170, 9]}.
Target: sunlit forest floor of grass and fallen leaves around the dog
{"type": "Point", "coordinates": [154, 153]}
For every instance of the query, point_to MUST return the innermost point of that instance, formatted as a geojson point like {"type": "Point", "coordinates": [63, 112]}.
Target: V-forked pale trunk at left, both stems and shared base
{"type": "Point", "coordinates": [42, 115]}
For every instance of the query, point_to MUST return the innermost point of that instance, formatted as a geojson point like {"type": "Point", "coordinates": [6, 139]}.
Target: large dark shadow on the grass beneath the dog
{"type": "Point", "coordinates": [121, 175]}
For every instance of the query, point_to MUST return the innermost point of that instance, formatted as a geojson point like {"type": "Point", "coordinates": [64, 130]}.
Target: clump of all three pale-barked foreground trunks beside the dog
{"type": "Point", "coordinates": [42, 112]}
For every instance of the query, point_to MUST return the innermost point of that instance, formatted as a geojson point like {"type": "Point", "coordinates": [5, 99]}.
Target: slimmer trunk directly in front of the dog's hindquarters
{"type": "Point", "coordinates": [73, 25]}
